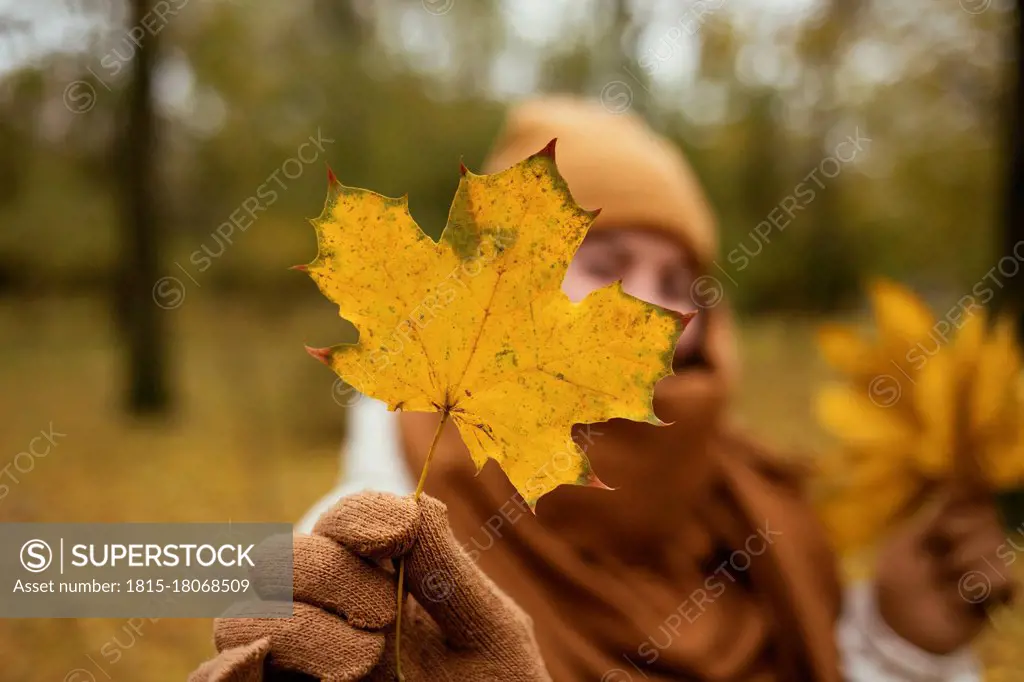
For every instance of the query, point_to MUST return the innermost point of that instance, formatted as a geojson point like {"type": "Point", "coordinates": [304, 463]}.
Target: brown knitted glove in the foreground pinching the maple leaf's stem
{"type": "Point", "coordinates": [457, 625]}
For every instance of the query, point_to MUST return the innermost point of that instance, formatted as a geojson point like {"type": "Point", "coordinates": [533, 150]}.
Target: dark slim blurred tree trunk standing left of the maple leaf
{"type": "Point", "coordinates": [143, 321]}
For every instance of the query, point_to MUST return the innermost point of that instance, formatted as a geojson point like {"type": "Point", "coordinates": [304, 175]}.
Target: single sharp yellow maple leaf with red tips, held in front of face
{"type": "Point", "coordinates": [476, 326]}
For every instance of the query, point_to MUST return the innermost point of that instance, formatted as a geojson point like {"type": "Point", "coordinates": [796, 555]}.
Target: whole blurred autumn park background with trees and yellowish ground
{"type": "Point", "coordinates": [158, 161]}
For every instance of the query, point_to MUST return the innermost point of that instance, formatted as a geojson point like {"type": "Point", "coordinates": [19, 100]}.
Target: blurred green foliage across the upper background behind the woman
{"type": "Point", "coordinates": [404, 93]}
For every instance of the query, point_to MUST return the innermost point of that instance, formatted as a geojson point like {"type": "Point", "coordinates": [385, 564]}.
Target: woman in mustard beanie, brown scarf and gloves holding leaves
{"type": "Point", "coordinates": [706, 563]}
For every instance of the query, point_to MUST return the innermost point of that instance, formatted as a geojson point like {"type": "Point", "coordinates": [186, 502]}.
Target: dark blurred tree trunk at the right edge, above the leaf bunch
{"type": "Point", "coordinates": [1013, 232]}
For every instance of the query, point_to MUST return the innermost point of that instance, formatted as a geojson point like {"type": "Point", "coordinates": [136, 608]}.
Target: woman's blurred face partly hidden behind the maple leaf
{"type": "Point", "coordinates": [653, 268]}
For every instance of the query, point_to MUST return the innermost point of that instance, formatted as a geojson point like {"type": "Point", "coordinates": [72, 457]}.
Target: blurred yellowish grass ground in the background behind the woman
{"type": "Point", "coordinates": [255, 441]}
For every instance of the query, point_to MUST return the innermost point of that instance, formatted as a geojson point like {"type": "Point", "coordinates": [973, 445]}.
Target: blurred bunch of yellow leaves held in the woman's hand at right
{"type": "Point", "coordinates": [925, 403]}
